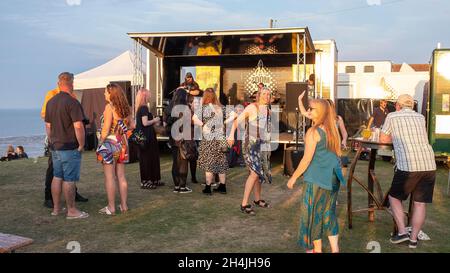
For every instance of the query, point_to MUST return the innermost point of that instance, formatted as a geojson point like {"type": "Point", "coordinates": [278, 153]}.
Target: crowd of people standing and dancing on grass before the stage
{"type": "Point", "coordinates": [191, 108]}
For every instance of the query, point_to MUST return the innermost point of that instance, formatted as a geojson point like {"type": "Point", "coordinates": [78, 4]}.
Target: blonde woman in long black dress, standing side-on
{"type": "Point", "coordinates": [149, 153]}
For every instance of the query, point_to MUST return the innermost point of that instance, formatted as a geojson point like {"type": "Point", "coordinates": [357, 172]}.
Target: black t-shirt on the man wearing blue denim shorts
{"type": "Point", "coordinates": [61, 112]}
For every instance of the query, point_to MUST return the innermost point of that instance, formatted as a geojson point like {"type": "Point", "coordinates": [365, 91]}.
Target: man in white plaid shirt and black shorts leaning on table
{"type": "Point", "coordinates": [415, 171]}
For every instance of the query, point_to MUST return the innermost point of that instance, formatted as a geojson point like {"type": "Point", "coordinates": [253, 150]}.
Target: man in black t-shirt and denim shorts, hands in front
{"type": "Point", "coordinates": [65, 131]}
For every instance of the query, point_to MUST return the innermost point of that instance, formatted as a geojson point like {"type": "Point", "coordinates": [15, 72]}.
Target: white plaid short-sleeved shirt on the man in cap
{"type": "Point", "coordinates": [409, 136]}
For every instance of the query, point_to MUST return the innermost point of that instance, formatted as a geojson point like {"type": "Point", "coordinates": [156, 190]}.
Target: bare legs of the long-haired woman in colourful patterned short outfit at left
{"type": "Point", "coordinates": [111, 172]}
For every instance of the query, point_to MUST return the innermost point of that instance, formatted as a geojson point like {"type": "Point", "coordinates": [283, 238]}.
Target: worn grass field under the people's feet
{"type": "Point", "coordinates": [162, 221]}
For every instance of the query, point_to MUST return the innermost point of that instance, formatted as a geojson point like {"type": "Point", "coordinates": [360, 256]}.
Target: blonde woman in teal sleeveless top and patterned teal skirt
{"type": "Point", "coordinates": [322, 174]}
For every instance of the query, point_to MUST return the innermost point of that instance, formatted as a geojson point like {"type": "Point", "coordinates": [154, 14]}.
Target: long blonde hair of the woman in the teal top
{"type": "Point", "coordinates": [326, 117]}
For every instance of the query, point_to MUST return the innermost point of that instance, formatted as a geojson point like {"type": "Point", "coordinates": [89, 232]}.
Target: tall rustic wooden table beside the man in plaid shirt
{"type": "Point", "coordinates": [375, 200]}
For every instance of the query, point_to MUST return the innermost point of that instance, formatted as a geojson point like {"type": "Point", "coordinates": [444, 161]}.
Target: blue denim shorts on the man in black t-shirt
{"type": "Point", "coordinates": [66, 165]}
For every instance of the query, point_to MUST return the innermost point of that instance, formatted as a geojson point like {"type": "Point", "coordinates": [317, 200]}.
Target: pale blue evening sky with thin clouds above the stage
{"type": "Point", "coordinates": [41, 38]}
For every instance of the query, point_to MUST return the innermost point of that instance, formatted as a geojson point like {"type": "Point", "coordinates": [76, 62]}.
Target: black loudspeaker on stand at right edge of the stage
{"type": "Point", "coordinates": [293, 90]}
